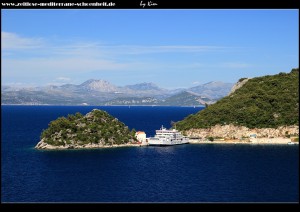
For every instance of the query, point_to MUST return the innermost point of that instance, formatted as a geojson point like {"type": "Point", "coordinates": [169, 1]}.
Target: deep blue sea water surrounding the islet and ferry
{"type": "Point", "coordinates": [186, 173]}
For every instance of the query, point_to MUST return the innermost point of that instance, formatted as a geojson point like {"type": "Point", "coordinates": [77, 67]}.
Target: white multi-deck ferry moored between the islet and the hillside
{"type": "Point", "coordinates": [166, 137]}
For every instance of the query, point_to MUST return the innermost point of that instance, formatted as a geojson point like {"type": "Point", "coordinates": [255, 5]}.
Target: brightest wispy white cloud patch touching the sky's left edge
{"type": "Point", "coordinates": [12, 41]}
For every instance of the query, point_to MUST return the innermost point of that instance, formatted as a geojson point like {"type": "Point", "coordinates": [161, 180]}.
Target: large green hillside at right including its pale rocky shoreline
{"type": "Point", "coordinates": [264, 107]}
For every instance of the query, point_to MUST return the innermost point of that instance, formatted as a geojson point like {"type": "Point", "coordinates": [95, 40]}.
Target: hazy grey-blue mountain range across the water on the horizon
{"type": "Point", "coordinates": [101, 92]}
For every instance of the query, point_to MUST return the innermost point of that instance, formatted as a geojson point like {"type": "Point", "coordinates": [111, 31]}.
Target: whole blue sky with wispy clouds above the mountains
{"type": "Point", "coordinates": [172, 48]}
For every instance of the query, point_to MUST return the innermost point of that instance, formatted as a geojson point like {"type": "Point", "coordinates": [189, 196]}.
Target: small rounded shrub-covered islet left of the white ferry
{"type": "Point", "coordinates": [96, 129]}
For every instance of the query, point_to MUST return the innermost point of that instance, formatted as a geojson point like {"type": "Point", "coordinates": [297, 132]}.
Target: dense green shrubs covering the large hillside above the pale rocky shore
{"type": "Point", "coordinates": [268, 101]}
